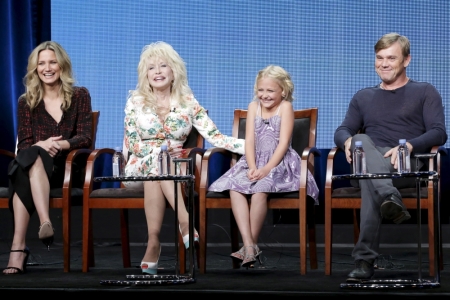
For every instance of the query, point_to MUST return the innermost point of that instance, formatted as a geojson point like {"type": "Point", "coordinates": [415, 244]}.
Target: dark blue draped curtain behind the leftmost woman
{"type": "Point", "coordinates": [24, 25]}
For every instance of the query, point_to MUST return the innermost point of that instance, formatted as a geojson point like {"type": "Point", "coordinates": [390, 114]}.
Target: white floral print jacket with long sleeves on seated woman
{"type": "Point", "coordinates": [145, 133]}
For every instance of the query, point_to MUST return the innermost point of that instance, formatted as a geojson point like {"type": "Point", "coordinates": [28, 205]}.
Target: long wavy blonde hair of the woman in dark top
{"type": "Point", "coordinates": [34, 90]}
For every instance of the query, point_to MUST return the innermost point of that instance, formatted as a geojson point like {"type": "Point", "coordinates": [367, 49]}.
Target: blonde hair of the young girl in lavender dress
{"type": "Point", "coordinates": [281, 76]}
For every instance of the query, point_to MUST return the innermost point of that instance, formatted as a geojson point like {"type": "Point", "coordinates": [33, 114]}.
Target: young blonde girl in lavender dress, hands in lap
{"type": "Point", "coordinates": [269, 165]}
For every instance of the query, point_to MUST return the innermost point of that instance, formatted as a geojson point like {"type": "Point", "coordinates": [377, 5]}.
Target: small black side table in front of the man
{"type": "Point", "coordinates": [403, 283]}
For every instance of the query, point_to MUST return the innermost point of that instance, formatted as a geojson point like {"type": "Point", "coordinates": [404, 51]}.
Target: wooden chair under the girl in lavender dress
{"type": "Point", "coordinates": [303, 141]}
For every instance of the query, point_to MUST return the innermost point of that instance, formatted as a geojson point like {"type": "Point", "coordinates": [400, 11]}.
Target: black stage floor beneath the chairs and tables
{"type": "Point", "coordinates": [278, 276]}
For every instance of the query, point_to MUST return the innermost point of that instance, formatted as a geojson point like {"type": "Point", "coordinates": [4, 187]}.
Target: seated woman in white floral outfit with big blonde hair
{"type": "Point", "coordinates": [161, 111]}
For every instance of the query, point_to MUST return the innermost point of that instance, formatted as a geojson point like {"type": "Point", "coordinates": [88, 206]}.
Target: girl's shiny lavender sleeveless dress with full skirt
{"type": "Point", "coordinates": [285, 177]}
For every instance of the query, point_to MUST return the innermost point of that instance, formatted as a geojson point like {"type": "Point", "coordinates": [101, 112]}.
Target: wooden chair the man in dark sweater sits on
{"type": "Point", "coordinates": [338, 196]}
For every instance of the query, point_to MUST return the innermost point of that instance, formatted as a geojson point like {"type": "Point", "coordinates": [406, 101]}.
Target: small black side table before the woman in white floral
{"type": "Point", "coordinates": [139, 280]}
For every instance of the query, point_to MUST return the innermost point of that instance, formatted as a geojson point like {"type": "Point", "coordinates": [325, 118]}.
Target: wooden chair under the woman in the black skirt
{"type": "Point", "coordinates": [64, 197]}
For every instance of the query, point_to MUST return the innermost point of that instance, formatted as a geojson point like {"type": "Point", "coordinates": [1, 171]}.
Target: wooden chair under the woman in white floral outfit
{"type": "Point", "coordinates": [126, 198]}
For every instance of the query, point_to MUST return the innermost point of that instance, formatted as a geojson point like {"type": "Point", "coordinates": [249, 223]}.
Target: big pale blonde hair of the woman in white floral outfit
{"type": "Point", "coordinates": [180, 88]}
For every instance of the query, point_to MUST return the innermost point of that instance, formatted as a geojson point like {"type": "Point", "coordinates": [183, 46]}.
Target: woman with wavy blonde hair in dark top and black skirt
{"type": "Point", "coordinates": [54, 117]}
